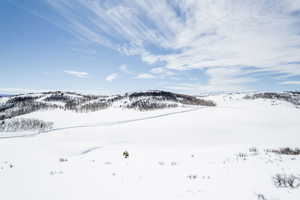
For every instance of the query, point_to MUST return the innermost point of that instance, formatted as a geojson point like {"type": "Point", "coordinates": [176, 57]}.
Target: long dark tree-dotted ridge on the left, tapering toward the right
{"type": "Point", "coordinates": [143, 101]}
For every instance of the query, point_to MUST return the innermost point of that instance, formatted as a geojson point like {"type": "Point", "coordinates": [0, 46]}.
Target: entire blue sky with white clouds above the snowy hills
{"type": "Point", "coordinates": [113, 46]}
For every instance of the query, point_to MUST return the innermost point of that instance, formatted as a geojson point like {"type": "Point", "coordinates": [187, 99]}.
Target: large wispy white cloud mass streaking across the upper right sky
{"type": "Point", "coordinates": [219, 37]}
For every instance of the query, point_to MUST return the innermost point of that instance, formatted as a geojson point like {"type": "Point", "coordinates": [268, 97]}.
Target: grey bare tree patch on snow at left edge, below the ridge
{"type": "Point", "coordinates": [22, 124]}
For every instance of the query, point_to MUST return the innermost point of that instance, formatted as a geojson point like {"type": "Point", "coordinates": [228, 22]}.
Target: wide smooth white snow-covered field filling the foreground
{"type": "Point", "coordinates": [205, 153]}
